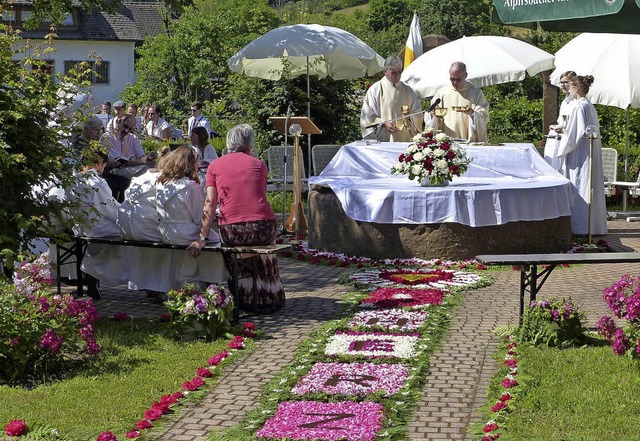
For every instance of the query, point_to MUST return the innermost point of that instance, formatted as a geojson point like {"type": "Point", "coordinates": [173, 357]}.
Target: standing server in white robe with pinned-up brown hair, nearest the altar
{"type": "Point", "coordinates": [574, 152]}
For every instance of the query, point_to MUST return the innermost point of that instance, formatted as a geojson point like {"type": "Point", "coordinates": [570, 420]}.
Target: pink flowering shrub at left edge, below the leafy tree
{"type": "Point", "coordinates": [39, 330]}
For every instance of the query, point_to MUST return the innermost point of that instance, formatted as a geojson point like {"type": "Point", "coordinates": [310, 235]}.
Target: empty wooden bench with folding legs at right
{"type": "Point", "coordinates": [531, 280]}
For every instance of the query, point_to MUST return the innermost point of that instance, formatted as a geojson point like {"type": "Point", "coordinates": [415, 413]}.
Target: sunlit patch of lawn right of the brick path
{"type": "Point", "coordinates": [584, 393]}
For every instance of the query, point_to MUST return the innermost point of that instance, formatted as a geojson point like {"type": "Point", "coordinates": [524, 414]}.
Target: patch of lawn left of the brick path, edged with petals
{"type": "Point", "coordinates": [139, 362]}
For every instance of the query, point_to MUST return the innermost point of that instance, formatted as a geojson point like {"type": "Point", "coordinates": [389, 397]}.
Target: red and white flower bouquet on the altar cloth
{"type": "Point", "coordinates": [432, 157]}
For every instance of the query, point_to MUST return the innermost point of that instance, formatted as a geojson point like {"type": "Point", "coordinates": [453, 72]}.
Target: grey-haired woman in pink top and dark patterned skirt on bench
{"type": "Point", "coordinates": [237, 183]}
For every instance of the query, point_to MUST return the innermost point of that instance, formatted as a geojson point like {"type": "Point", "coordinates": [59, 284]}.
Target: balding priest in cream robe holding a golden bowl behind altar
{"type": "Point", "coordinates": [467, 108]}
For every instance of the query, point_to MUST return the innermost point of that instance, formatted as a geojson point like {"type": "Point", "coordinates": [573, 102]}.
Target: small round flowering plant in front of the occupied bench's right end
{"type": "Point", "coordinates": [196, 313]}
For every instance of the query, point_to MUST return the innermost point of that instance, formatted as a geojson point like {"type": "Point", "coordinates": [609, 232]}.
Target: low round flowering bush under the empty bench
{"type": "Point", "coordinates": [552, 322]}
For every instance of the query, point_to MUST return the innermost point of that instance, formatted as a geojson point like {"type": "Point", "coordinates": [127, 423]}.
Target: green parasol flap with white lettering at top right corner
{"type": "Point", "coordinates": [524, 11]}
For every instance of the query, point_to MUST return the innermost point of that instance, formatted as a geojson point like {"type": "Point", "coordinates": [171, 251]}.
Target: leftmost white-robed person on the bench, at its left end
{"type": "Point", "coordinates": [96, 217]}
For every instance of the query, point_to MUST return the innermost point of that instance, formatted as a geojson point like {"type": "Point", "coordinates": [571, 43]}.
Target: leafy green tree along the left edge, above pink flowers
{"type": "Point", "coordinates": [36, 116]}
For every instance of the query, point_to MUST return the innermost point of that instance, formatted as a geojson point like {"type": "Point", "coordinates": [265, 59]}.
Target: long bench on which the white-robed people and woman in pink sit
{"type": "Point", "coordinates": [235, 258]}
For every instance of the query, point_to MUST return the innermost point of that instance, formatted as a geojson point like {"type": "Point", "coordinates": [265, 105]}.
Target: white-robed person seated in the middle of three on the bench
{"type": "Point", "coordinates": [151, 269]}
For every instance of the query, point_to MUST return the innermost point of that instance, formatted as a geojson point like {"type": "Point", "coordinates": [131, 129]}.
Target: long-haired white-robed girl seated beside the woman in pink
{"type": "Point", "coordinates": [179, 204]}
